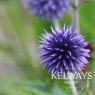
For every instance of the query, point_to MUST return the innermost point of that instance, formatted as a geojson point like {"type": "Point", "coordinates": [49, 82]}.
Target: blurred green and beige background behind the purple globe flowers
{"type": "Point", "coordinates": [20, 72]}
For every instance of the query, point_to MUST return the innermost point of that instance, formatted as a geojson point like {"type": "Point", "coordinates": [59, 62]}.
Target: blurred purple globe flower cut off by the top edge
{"type": "Point", "coordinates": [48, 9]}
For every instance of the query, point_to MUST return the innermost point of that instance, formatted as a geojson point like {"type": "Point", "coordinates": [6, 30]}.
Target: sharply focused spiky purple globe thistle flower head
{"type": "Point", "coordinates": [63, 51]}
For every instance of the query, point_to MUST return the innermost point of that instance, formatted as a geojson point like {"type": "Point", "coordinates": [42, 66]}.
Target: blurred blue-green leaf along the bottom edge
{"type": "Point", "coordinates": [41, 88]}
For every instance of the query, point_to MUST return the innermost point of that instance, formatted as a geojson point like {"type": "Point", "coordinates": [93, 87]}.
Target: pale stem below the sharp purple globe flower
{"type": "Point", "coordinates": [72, 85]}
